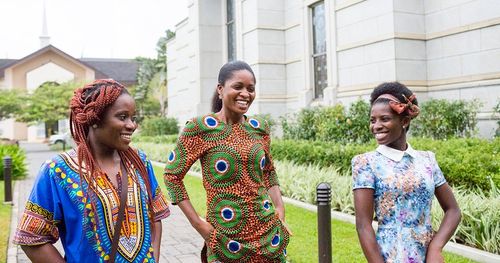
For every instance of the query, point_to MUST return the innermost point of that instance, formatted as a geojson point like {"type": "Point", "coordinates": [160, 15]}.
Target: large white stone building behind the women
{"type": "Point", "coordinates": [309, 52]}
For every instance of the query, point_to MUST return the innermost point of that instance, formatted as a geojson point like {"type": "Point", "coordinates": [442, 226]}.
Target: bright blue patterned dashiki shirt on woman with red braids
{"type": "Point", "coordinates": [58, 208]}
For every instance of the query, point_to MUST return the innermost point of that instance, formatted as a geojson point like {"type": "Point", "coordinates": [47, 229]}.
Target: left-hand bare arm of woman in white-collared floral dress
{"type": "Point", "coordinates": [363, 206]}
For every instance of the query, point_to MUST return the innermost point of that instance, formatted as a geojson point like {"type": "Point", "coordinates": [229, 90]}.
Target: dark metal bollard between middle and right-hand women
{"type": "Point", "coordinates": [324, 197]}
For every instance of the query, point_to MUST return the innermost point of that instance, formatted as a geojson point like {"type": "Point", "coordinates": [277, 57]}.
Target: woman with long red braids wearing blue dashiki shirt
{"type": "Point", "coordinates": [76, 196]}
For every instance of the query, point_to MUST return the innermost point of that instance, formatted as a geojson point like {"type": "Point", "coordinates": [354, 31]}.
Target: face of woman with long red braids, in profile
{"type": "Point", "coordinates": [115, 129]}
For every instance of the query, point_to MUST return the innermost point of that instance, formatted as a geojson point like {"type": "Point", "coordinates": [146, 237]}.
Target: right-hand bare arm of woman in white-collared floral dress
{"type": "Point", "coordinates": [451, 219]}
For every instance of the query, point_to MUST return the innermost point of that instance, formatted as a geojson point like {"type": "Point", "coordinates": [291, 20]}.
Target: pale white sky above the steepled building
{"type": "Point", "coordinates": [88, 28]}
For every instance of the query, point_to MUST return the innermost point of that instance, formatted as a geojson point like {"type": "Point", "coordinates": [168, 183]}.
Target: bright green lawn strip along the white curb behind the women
{"type": "Point", "coordinates": [303, 246]}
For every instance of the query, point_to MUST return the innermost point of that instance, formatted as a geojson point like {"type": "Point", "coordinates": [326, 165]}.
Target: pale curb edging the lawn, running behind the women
{"type": "Point", "coordinates": [462, 250]}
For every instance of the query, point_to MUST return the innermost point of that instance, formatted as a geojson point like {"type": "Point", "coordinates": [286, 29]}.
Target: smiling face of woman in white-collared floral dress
{"type": "Point", "coordinates": [388, 126]}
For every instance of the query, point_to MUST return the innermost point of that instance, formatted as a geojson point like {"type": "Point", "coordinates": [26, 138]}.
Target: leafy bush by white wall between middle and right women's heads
{"type": "Point", "coordinates": [329, 123]}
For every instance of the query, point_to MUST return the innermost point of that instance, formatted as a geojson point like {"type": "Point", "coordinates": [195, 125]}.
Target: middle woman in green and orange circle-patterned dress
{"type": "Point", "coordinates": [245, 213]}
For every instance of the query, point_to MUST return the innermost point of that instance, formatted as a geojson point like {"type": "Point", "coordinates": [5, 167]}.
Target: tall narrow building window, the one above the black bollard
{"type": "Point", "coordinates": [319, 48]}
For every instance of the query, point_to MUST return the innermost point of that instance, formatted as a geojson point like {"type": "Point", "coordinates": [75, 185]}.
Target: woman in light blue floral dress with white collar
{"type": "Point", "coordinates": [399, 184]}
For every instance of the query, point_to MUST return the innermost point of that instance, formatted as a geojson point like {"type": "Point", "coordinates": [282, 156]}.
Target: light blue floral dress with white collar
{"type": "Point", "coordinates": [403, 184]}
